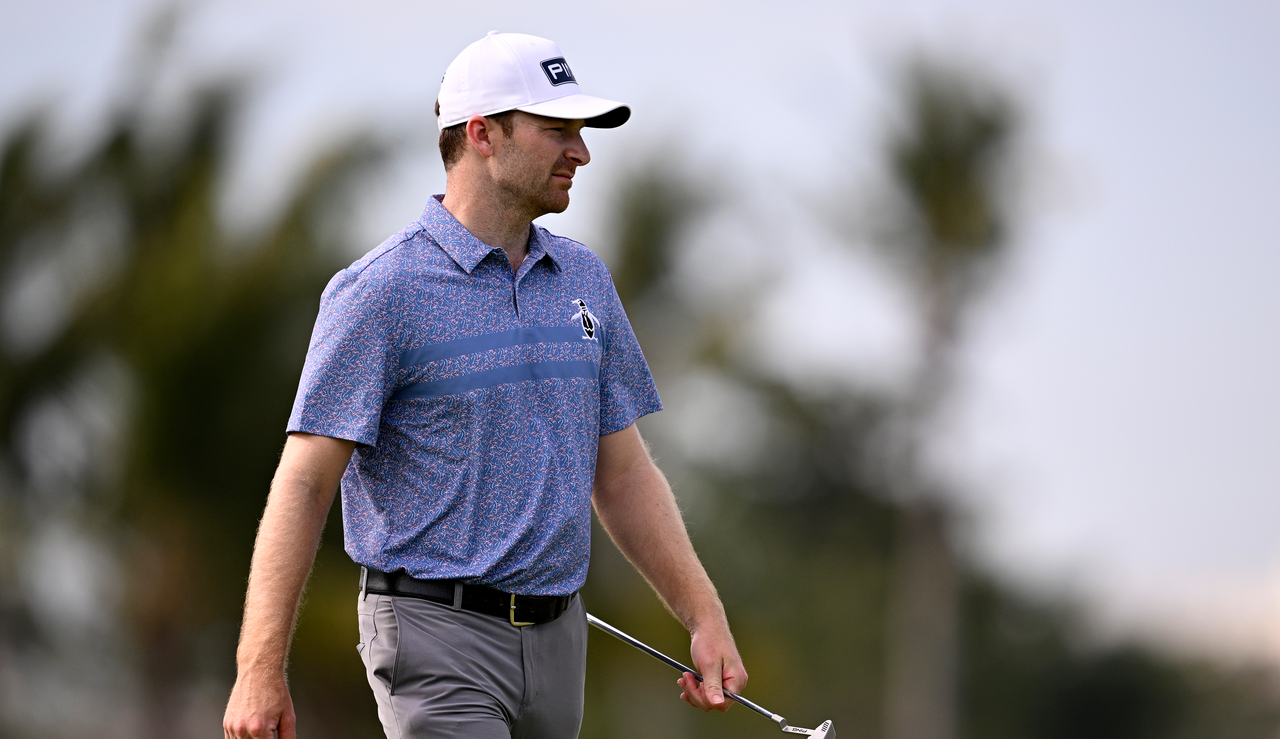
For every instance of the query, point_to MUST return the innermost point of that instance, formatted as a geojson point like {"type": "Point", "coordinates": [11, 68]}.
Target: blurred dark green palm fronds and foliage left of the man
{"type": "Point", "coordinates": [141, 332]}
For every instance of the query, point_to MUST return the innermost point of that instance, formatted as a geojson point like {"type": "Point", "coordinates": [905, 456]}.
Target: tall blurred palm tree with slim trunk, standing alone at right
{"type": "Point", "coordinates": [950, 165]}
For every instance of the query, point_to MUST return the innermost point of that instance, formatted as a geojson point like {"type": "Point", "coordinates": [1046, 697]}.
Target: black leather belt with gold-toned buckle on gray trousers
{"type": "Point", "coordinates": [518, 610]}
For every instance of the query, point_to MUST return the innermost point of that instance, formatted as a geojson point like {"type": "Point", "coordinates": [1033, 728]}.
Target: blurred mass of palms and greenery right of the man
{"type": "Point", "coordinates": [829, 540]}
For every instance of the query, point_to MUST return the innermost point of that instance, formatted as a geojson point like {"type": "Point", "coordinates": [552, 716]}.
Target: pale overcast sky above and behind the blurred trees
{"type": "Point", "coordinates": [1119, 422]}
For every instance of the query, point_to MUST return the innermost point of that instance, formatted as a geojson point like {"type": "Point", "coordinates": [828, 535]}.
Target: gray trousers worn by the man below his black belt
{"type": "Point", "coordinates": [438, 673]}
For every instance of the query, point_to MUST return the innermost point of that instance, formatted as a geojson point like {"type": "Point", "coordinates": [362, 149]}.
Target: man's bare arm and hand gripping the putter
{"type": "Point", "coordinates": [638, 510]}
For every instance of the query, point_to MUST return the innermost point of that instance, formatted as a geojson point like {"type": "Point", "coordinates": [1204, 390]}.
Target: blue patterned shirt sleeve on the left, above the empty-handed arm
{"type": "Point", "coordinates": [351, 363]}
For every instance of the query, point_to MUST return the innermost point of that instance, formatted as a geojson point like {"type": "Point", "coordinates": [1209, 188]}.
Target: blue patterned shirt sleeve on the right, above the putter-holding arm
{"type": "Point", "coordinates": [627, 385]}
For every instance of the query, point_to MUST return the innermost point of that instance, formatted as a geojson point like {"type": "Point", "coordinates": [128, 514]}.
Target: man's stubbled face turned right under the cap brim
{"type": "Point", "coordinates": [536, 165]}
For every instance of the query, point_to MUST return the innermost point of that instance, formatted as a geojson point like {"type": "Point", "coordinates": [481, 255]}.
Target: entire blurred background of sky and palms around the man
{"type": "Point", "coordinates": [963, 314]}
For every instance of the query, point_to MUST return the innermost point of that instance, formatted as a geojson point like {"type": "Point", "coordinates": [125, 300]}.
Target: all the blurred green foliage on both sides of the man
{"type": "Point", "coordinates": [198, 339]}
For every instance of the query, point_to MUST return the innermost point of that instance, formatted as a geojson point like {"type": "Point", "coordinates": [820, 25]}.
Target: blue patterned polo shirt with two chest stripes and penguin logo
{"type": "Point", "coordinates": [477, 399]}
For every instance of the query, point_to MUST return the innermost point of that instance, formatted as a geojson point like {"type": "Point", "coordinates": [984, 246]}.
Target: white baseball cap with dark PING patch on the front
{"type": "Point", "coordinates": [518, 72]}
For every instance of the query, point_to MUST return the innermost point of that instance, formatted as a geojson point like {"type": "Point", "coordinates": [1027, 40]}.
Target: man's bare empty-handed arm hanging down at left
{"type": "Point", "coordinates": [289, 536]}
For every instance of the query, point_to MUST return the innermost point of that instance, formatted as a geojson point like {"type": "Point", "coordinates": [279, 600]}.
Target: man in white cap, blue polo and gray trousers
{"type": "Point", "coordinates": [474, 384]}
